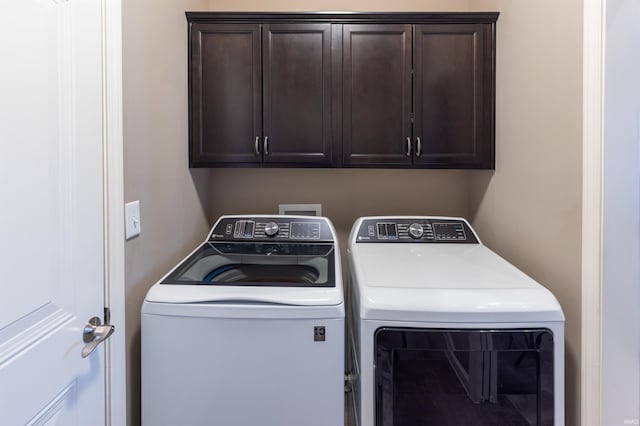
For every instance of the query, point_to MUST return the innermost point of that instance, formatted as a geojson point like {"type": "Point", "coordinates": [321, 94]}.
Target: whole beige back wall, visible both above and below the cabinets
{"type": "Point", "coordinates": [344, 194]}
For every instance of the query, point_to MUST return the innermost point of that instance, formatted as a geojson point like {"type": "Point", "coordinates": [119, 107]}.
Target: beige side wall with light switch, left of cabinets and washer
{"type": "Point", "coordinates": [172, 198]}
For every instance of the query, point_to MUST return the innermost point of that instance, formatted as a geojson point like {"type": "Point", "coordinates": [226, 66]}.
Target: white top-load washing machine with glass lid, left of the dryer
{"type": "Point", "coordinates": [248, 329]}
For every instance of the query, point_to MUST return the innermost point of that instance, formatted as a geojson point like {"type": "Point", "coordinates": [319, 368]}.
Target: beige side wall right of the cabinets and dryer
{"type": "Point", "coordinates": [529, 209]}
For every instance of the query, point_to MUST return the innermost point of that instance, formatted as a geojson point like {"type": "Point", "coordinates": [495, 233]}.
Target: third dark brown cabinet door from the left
{"type": "Point", "coordinates": [377, 95]}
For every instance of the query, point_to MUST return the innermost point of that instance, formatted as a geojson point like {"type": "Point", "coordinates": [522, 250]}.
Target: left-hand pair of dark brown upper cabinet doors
{"type": "Point", "coordinates": [260, 93]}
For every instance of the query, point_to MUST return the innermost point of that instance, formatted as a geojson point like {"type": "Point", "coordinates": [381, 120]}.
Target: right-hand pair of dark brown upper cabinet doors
{"type": "Point", "coordinates": [418, 95]}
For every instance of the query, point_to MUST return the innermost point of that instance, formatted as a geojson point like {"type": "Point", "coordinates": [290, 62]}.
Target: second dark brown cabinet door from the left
{"type": "Point", "coordinates": [297, 93]}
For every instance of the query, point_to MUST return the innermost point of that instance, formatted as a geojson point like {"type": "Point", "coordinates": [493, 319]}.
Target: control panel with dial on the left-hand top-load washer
{"type": "Point", "coordinates": [271, 228]}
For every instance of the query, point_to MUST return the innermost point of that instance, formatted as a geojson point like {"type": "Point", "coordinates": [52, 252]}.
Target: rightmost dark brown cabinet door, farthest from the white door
{"type": "Point", "coordinates": [454, 95]}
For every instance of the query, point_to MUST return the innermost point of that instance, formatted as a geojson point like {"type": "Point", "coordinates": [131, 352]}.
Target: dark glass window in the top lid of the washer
{"type": "Point", "coordinates": [258, 264]}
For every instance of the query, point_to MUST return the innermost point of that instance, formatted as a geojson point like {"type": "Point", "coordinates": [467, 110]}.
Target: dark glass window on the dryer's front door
{"type": "Point", "coordinates": [464, 377]}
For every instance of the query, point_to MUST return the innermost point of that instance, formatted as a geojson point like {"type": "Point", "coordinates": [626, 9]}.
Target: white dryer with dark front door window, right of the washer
{"type": "Point", "coordinates": [443, 331]}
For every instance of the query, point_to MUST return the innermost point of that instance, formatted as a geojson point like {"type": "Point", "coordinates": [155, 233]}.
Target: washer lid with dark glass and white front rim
{"type": "Point", "coordinates": [186, 282]}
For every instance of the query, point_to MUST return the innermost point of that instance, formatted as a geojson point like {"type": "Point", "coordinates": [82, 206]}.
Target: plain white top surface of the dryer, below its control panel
{"type": "Point", "coordinates": [444, 282]}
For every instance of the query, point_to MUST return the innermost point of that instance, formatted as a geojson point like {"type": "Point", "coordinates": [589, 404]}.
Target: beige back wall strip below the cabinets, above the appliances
{"type": "Point", "coordinates": [345, 194]}
